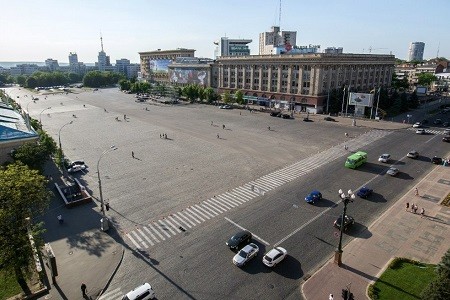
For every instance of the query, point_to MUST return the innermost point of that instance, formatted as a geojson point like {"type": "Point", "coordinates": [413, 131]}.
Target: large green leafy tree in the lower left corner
{"type": "Point", "coordinates": [23, 196]}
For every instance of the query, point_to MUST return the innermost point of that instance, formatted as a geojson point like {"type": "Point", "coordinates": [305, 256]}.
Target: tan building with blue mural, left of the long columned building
{"type": "Point", "coordinates": [154, 64]}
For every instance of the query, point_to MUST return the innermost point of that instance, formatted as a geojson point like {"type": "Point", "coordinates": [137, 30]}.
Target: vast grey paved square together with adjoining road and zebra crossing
{"type": "Point", "coordinates": [193, 165]}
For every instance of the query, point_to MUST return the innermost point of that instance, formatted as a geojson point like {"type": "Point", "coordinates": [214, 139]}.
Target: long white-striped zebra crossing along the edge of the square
{"type": "Point", "coordinates": [158, 231]}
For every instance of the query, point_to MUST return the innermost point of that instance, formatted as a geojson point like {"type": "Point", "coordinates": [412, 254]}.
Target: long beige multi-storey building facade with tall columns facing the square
{"type": "Point", "coordinates": [303, 79]}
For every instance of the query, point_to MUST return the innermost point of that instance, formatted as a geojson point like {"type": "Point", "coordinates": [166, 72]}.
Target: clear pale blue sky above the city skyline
{"type": "Point", "coordinates": [33, 30]}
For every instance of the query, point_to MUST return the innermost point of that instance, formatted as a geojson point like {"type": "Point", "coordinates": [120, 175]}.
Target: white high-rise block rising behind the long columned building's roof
{"type": "Point", "coordinates": [270, 41]}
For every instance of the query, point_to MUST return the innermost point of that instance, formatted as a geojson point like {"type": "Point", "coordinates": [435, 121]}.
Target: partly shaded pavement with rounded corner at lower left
{"type": "Point", "coordinates": [83, 252]}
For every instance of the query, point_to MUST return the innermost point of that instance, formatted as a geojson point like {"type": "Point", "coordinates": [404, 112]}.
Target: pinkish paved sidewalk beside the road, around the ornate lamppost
{"type": "Point", "coordinates": [397, 233]}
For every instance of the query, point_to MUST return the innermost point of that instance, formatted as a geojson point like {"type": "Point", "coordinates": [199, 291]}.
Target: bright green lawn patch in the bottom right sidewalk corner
{"type": "Point", "coordinates": [404, 279]}
